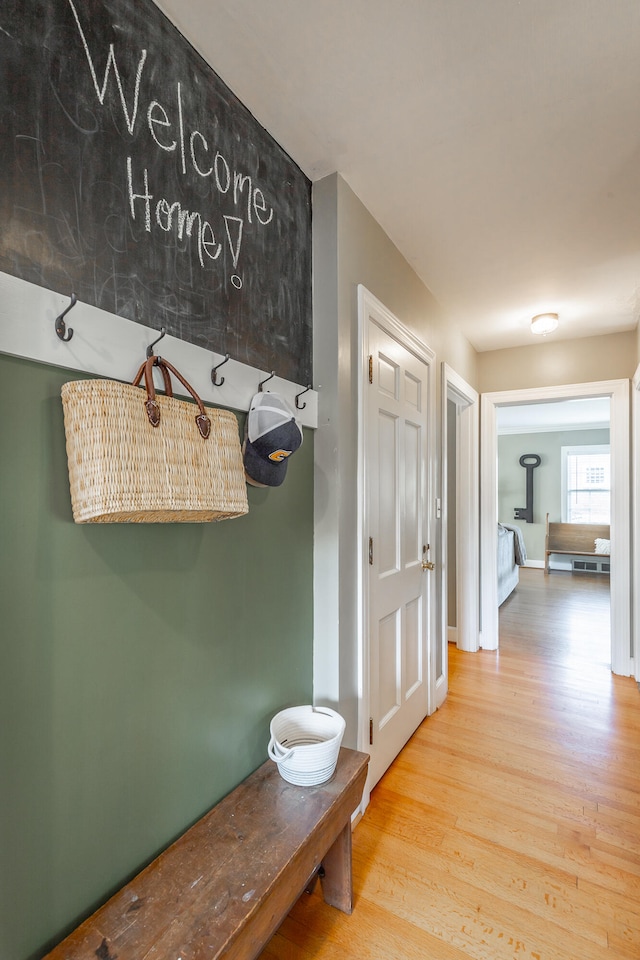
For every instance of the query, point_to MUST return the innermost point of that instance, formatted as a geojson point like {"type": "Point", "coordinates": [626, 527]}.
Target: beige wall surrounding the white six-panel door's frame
{"type": "Point", "coordinates": [351, 248]}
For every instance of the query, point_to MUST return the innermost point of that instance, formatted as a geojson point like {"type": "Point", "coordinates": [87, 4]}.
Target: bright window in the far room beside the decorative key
{"type": "Point", "coordinates": [586, 484]}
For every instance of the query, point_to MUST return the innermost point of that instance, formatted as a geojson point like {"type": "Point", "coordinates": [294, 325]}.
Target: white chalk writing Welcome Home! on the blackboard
{"type": "Point", "coordinates": [168, 130]}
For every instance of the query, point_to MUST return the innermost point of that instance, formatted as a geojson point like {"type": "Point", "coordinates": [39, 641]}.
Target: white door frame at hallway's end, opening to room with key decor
{"type": "Point", "coordinates": [618, 392]}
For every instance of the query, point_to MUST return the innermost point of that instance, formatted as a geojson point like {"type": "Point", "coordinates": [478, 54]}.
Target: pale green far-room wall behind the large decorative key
{"type": "Point", "coordinates": [547, 479]}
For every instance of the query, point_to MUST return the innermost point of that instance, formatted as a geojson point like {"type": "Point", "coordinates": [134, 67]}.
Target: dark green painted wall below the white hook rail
{"type": "Point", "coordinates": [139, 667]}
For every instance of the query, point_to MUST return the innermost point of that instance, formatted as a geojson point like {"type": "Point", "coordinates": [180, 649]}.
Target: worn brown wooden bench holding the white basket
{"type": "Point", "coordinates": [225, 886]}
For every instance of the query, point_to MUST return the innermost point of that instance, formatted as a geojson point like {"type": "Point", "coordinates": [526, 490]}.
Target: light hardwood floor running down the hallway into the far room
{"type": "Point", "coordinates": [509, 826]}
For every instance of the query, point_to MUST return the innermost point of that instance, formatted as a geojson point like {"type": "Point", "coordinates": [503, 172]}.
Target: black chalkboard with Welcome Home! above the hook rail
{"type": "Point", "coordinates": [131, 175]}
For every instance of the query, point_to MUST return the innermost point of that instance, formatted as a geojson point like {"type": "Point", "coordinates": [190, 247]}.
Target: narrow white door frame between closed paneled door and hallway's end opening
{"type": "Point", "coordinates": [467, 508]}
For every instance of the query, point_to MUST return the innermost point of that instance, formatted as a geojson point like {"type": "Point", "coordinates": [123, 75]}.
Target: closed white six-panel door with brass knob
{"type": "Point", "coordinates": [398, 567]}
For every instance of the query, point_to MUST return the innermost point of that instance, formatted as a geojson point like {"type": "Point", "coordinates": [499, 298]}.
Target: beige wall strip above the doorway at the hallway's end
{"type": "Point", "coordinates": [609, 357]}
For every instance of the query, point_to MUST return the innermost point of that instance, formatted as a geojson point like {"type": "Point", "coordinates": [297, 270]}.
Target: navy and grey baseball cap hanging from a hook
{"type": "Point", "coordinates": [272, 435]}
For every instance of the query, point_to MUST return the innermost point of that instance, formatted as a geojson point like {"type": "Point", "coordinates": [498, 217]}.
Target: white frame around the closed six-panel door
{"type": "Point", "coordinates": [369, 305]}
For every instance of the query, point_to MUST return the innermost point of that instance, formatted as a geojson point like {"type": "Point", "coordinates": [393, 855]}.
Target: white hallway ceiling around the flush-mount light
{"type": "Point", "coordinates": [497, 142]}
